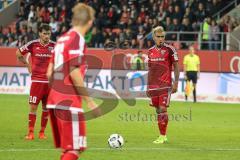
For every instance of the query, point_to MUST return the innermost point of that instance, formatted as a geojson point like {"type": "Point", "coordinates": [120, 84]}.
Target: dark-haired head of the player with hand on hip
{"type": "Point", "coordinates": [44, 32]}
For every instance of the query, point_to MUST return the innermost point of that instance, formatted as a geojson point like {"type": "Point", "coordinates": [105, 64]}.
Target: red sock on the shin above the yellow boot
{"type": "Point", "coordinates": [163, 122]}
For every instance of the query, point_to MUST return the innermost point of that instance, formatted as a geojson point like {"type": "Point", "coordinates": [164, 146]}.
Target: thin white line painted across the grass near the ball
{"type": "Point", "coordinates": [127, 149]}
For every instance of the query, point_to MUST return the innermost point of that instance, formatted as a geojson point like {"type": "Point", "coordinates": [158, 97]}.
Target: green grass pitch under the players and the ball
{"type": "Point", "coordinates": [201, 131]}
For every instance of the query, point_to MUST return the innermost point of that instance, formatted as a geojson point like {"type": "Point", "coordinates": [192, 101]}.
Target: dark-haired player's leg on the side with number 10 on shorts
{"type": "Point", "coordinates": [34, 100]}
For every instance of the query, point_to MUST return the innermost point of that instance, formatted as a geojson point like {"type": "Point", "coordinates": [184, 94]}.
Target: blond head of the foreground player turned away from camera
{"type": "Point", "coordinates": [83, 16]}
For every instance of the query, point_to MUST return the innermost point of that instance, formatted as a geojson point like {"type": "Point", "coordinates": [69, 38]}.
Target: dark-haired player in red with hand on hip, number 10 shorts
{"type": "Point", "coordinates": [40, 51]}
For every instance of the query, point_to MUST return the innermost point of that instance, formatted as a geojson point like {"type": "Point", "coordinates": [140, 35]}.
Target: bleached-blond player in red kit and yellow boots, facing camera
{"type": "Point", "coordinates": [161, 58]}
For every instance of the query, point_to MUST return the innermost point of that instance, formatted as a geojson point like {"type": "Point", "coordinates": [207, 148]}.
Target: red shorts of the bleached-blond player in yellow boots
{"type": "Point", "coordinates": [161, 100]}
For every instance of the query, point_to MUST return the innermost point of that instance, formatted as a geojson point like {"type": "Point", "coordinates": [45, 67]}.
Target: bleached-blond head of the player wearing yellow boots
{"type": "Point", "coordinates": [158, 34]}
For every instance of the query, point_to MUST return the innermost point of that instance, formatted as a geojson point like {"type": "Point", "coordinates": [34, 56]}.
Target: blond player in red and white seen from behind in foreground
{"type": "Point", "coordinates": [66, 73]}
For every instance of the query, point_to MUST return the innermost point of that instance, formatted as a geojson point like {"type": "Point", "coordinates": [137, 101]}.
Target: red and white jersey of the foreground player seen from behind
{"type": "Point", "coordinates": [69, 51]}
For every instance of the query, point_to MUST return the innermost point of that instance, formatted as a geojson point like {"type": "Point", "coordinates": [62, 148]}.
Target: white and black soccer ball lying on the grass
{"type": "Point", "coordinates": [115, 141]}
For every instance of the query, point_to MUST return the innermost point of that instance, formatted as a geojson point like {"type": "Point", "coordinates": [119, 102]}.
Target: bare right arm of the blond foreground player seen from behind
{"type": "Point", "coordinates": [78, 83]}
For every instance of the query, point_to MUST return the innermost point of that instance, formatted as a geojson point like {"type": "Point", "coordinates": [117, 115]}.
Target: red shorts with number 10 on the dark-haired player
{"type": "Point", "coordinates": [38, 92]}
